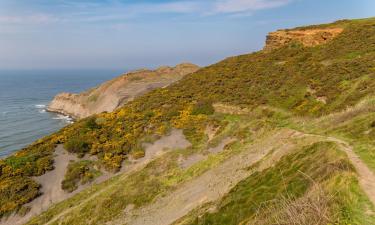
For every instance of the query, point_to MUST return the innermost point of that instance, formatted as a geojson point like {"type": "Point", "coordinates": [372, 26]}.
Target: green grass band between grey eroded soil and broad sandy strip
{"type": "Point", "coordinates": [140, 188]}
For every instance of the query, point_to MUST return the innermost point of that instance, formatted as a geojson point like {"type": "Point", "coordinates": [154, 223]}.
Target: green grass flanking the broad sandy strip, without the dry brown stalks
{"type": "Point", "coordinates": [322, 162]}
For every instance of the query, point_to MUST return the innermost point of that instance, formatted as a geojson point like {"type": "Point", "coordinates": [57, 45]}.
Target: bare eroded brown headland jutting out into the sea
{"type": "Point", "coordinates": [117, 92]}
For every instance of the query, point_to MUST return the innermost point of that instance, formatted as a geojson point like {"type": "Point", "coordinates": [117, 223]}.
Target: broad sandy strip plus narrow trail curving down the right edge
{"type": "Point", "coordinates": [213, 184]}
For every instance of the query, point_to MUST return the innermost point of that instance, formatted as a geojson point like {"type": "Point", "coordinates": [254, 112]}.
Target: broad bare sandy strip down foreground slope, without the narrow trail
{"type": "Point", "coordinates": [211, 185]}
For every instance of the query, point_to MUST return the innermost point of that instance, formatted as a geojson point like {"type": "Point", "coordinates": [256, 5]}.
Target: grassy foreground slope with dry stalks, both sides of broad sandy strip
{"type": "Point", "coordinates": [313, 179]}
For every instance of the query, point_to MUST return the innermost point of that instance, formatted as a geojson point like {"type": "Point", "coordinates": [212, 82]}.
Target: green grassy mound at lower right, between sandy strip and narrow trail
{"type": "Point", "coordinates": [291, 179]}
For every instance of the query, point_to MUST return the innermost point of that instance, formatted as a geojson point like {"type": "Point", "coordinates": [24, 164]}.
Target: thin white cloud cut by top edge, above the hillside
{"type": "Point", "coordinates": [240, 6]}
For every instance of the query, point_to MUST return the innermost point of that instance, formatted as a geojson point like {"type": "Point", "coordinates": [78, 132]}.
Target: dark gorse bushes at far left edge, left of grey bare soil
{"type": "Point", "coordinates": [16, 185]}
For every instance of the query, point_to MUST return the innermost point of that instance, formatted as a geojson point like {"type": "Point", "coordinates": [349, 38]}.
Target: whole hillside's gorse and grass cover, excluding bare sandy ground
{"type": "Point", "coordinates": [293, 86]}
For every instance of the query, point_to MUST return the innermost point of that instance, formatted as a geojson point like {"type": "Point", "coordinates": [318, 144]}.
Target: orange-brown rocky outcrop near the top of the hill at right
{"type": "Point", "coordinates": [308, 37]}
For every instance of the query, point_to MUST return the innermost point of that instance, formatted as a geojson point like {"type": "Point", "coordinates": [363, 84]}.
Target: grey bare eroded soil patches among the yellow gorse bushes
{"type": "Point", "coordinates": [51, 181]}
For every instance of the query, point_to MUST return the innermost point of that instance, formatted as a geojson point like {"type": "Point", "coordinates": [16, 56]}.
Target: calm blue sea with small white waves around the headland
{"type": "Point", "coordinates": [24, 96]}
